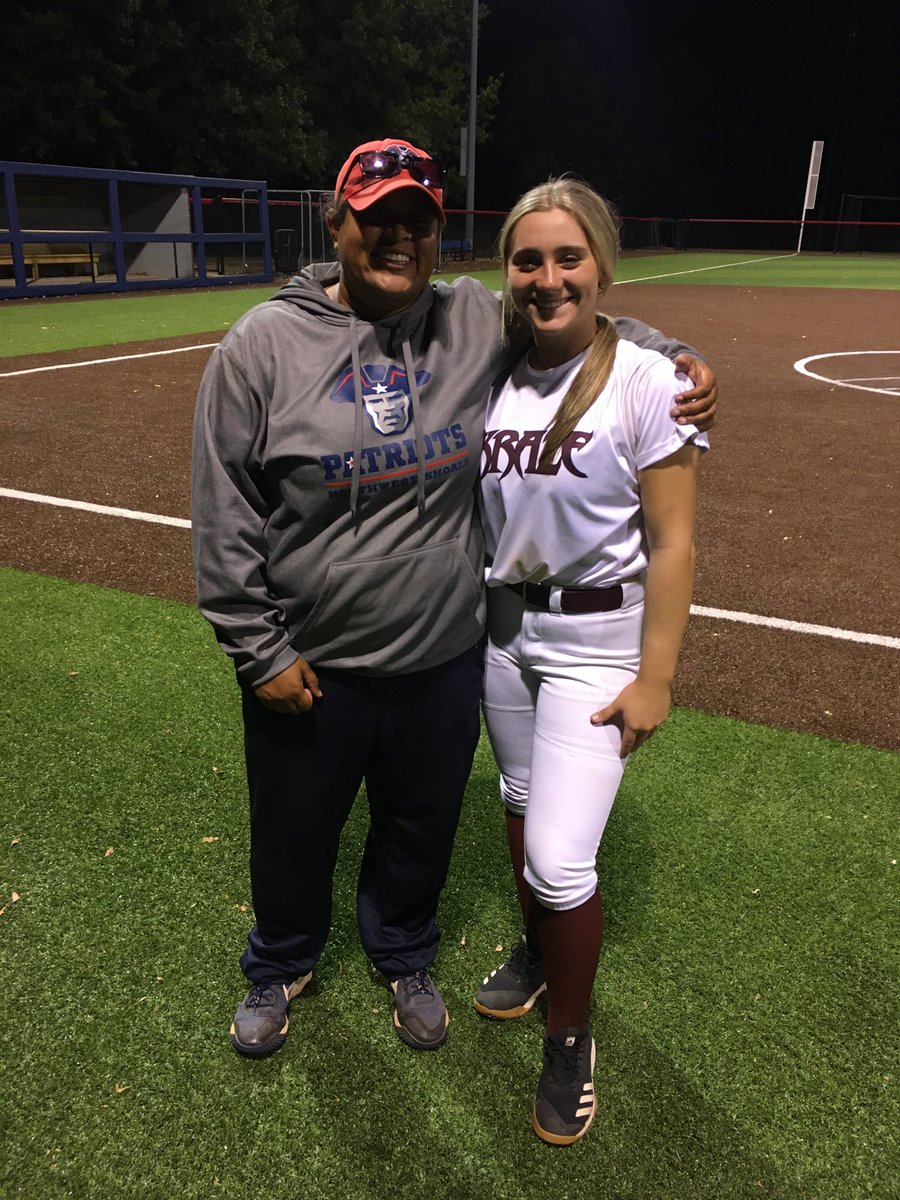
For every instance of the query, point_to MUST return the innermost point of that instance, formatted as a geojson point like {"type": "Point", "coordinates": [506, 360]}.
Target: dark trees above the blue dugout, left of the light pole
{"type": "Point", "coordinates": [255, 89]}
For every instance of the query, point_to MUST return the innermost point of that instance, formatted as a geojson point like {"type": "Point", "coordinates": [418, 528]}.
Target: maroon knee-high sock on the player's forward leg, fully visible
{"type": "Point", "coordinates": [571, 945]}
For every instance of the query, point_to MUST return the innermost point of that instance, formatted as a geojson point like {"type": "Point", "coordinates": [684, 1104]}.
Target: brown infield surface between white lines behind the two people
{"type": "Point", "coordinates": [799, 520]}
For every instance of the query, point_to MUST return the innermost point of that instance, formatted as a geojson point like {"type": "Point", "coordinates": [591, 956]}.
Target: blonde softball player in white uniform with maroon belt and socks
{"type": "Point", "coordinates": [589, 497]}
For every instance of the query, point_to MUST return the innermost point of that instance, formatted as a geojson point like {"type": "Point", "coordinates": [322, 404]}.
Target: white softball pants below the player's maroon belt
{"type": "Point", "coordinates": [545, 674]}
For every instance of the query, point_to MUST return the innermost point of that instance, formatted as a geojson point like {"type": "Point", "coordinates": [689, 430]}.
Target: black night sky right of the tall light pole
{"type": "Point", "coordinates": [693, 110]}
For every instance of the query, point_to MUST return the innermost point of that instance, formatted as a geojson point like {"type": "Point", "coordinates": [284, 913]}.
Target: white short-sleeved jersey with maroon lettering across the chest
{"type": "Point", "coordinates": [581, 525]}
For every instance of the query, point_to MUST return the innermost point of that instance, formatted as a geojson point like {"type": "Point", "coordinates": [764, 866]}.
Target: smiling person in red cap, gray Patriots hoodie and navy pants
{"type": "Point", "coordinates": [340, 561]}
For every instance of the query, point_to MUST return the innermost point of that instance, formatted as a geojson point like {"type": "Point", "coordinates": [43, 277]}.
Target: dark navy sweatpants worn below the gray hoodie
{"type": "Point", "coordinates": [412, 739]}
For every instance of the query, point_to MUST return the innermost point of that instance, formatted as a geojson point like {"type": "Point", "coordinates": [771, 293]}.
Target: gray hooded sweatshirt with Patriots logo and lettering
{"type": "Point", "coordinates": [334, 471]}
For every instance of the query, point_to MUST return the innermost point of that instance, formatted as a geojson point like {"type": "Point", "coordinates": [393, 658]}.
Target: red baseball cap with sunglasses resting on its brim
{"type": "Point", "coordinates": [361, 181]}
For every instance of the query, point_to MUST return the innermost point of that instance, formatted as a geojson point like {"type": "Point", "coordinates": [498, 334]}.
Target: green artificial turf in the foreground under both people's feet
{"type": "Point", "coordinates": [746, 1010]}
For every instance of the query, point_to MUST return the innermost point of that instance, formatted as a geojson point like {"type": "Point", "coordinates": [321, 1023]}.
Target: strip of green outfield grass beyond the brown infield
{"type": "Point", "coordinates": [38, 328]}
